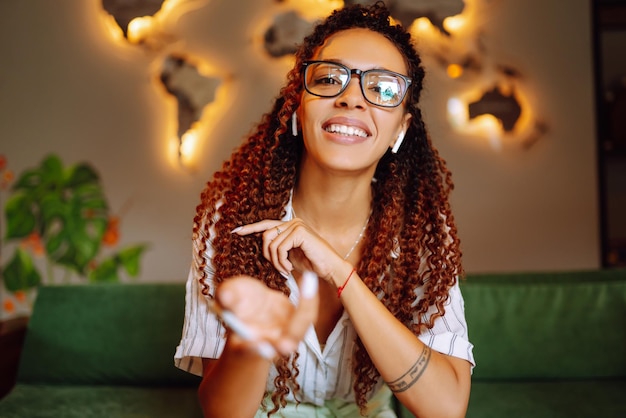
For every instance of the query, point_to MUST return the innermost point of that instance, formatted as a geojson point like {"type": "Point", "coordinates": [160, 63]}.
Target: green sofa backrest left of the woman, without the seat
{"type": "Point", "coordinates": [105, 334]}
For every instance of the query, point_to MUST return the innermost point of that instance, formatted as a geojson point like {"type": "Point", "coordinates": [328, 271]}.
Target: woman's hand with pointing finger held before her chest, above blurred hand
{"type": "Point", "coordinates": [293, 245]}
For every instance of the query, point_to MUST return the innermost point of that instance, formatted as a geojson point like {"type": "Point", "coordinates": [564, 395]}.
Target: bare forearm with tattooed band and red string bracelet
{"type": "Point", "coordinates": [427, 382]}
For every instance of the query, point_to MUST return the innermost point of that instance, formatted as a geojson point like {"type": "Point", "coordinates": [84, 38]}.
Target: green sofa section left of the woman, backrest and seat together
{"type": "Point", "coordinates": [103, 350]}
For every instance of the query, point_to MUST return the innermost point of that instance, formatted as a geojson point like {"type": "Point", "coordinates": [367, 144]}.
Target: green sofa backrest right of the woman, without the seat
{"type": "Point", "coordinates": [547, 325]}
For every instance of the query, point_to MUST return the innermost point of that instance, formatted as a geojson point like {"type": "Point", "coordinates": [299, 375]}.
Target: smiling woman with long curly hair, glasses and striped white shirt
{"type": "Point", "coordinates": [340, 179]}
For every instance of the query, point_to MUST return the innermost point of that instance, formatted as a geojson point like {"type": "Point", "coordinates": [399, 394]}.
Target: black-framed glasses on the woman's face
{"type": "Point", "coordinates": [379, 87]}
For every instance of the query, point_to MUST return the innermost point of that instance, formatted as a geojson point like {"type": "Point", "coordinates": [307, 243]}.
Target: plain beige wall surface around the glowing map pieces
{"type": "Point", "coordinates": [67, 88]}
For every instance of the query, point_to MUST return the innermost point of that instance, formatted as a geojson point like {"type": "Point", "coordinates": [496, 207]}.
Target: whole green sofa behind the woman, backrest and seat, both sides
{"type": "Point", "coordinates": [546, 344]}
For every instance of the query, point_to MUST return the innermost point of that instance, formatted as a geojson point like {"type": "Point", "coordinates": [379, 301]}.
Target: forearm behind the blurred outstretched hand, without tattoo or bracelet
{"type": "Point", "coordinates": [234, 384]}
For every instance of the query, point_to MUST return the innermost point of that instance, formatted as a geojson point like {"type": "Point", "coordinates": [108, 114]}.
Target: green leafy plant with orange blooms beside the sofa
{"type": "Point", "coordinates": [61, 214]}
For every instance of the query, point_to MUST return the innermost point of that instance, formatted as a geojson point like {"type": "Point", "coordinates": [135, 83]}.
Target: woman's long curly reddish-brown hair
{"type": "Point", "coordinates": [411, 213]}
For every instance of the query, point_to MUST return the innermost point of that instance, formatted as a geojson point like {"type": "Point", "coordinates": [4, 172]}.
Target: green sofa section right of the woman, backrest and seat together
{"type": "Point", "coordinates": [548, 345]}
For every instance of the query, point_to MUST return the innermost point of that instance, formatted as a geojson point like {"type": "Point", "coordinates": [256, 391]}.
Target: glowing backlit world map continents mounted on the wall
{"type": "Point", "coordinates": [440, 25]}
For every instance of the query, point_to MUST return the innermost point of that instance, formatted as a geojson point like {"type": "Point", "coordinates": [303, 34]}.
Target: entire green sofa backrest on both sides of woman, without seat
{"type": "Point", "coordinates": [523, 326]}
